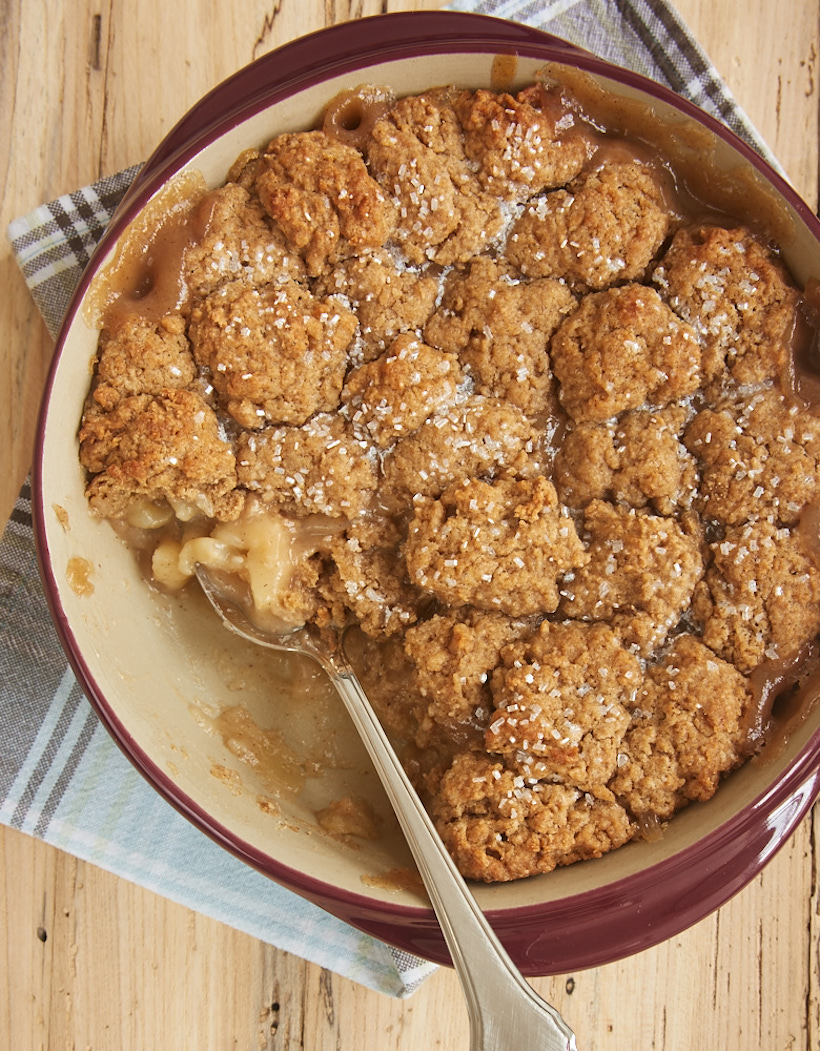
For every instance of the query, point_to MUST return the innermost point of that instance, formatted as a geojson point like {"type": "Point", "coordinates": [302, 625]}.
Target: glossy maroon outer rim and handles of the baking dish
{"type": "Point", "coordinates": [642, 910]}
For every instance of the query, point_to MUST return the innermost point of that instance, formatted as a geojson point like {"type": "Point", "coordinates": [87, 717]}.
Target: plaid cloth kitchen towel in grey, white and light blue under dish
{"type": "Point", "coordinates": [61, 776]}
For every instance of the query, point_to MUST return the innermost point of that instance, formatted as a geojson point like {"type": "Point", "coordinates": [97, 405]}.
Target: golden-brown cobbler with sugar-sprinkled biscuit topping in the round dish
{"type": "Point", "coordinates": [479, 377]}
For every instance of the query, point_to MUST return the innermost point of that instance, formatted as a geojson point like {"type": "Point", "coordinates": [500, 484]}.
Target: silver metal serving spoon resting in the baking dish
{"type": "Point", "coordinates": [505, 1014]}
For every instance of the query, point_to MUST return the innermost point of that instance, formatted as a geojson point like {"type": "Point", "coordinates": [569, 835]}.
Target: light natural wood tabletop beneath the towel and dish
{"type": "Point", "coordinates": [92, 962]}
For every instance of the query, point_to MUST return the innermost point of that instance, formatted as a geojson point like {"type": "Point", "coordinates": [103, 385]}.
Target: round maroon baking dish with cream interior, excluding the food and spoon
{"type": "Point", "coordinates": [161, 672]}
